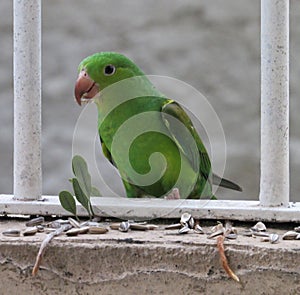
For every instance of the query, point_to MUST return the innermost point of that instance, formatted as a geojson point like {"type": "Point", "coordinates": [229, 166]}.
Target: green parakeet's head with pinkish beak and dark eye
{"type": "Point", "coordinates": [101, 70]}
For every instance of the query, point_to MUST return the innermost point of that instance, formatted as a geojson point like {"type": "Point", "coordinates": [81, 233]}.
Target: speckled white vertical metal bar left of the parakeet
{"type": "Point", "coordinates": [27, 99]}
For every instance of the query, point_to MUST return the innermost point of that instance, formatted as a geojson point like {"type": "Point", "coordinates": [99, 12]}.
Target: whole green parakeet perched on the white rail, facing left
{"type": "Point", "coordinates": [147, 136]}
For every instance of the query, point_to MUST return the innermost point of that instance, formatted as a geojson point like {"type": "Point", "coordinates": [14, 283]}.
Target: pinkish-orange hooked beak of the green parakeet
{"type": "Point", "coordinates": [85, 87]}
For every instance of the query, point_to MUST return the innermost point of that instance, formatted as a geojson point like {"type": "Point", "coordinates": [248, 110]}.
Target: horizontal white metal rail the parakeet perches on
{"type": "Point", "coordinates": [157, 208]}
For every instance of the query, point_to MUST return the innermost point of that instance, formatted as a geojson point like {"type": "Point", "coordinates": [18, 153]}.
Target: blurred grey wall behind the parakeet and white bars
{"type": "Point", "coordinates": [212, 45]}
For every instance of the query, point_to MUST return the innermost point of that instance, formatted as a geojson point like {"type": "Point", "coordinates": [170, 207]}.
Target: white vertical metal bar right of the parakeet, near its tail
{"type": "Point", "coordinates": [274, 179]}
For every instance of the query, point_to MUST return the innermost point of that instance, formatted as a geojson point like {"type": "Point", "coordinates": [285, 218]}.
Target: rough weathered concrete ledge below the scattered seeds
{"type": "Point", "coordinates": [152, 262]}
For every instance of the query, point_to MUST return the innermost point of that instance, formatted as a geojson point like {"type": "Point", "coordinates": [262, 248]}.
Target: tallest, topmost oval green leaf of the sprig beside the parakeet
{"type": "Point", "coordinates": [80, 170]}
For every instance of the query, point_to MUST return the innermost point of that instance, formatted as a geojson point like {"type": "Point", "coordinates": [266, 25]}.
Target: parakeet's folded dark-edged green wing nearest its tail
{"type": "Point", "coordinates": [175, 110]}
